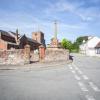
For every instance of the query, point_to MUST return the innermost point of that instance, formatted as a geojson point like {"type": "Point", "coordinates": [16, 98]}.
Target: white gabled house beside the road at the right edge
{"type": "Point", "coordinates": [91, 47]}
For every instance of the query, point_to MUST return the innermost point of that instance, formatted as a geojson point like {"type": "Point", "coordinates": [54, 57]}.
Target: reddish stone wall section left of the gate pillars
{"type": "Point", "coordinates": [12, 56]}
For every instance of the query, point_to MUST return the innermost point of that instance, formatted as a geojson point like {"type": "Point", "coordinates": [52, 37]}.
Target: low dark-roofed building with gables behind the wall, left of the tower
{"type": "Point", "coordinates": [10, 40]}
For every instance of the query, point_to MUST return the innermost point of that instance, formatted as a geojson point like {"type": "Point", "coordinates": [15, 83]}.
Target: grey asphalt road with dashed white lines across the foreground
{"type": "Point", "coordinates": [75, 81]}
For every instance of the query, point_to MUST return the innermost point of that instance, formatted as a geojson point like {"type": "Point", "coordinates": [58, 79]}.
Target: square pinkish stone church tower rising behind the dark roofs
{"type": "Point", "coordinates": [39, 37]}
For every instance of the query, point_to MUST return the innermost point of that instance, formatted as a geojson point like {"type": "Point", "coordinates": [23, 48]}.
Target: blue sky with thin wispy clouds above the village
{"type": "Point", "coordinates": [74, 17]}
